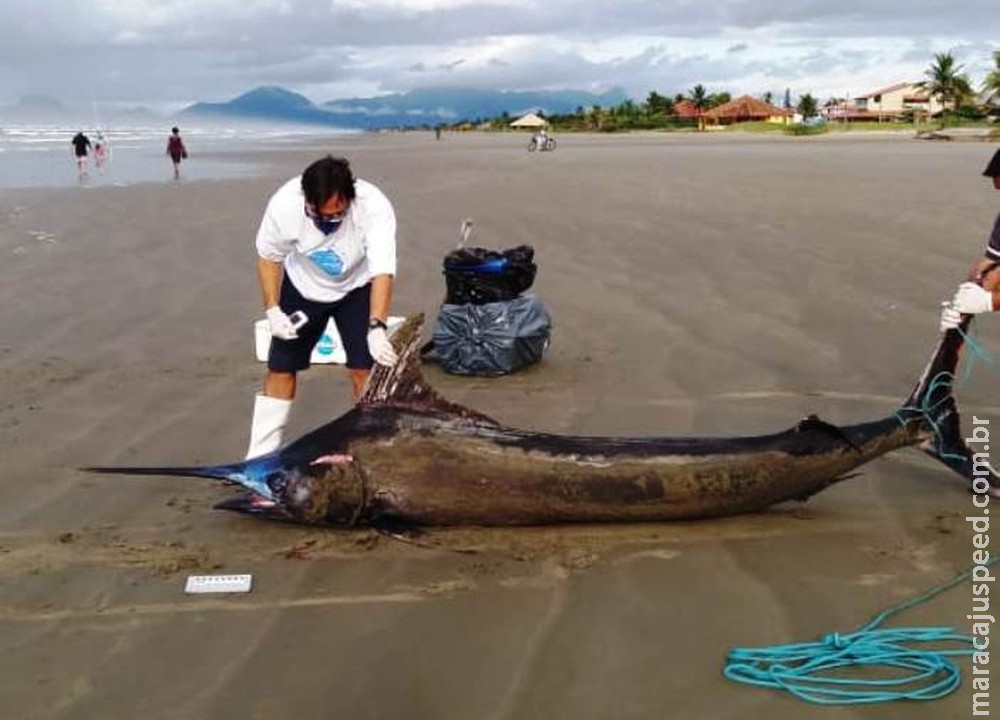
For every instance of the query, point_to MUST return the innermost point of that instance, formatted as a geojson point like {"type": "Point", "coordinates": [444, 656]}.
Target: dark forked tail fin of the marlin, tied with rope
{"type": "Point", "coordinates": [932, 404]}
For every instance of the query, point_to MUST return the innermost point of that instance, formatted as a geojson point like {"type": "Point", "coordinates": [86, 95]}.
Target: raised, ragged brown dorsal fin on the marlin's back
{"type": "Point", "coordinates": [403, 385]}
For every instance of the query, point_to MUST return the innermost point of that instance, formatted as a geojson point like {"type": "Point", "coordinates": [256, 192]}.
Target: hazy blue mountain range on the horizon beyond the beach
{"type": "Point", "coordinates": [414, 108]}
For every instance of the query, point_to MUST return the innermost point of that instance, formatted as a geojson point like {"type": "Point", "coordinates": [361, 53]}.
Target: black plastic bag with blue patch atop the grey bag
{"type": "Point", "coordinates": [478, 275]}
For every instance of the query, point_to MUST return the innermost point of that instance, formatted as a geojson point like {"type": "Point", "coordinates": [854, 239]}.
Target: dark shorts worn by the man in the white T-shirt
{"type": "Point", "coordinates": [350, 314]}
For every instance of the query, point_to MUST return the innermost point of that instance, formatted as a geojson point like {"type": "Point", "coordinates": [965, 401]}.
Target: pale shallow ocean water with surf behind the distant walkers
{"type": "Point", "coordinates": [42, 156]}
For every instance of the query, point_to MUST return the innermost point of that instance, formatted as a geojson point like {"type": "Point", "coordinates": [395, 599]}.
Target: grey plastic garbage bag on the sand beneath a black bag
{"type": "Point", "coordinates": [492, 338]}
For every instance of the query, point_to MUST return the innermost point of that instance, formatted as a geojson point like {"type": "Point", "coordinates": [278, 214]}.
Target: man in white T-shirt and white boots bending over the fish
{"type": "Point", "coordinates": [326, 248]}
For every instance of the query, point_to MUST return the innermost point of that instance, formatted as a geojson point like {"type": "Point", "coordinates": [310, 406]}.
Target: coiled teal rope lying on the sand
{"type": "Point", "coordinates": [918, 674]}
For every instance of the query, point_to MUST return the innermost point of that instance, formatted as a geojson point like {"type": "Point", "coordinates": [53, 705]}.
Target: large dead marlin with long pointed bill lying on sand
{"type": "Point", "coordinates": [405, 455]}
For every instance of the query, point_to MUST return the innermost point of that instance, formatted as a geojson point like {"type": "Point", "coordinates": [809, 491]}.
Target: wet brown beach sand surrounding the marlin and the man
{"type": "Point", "coordinates": [699, 284]}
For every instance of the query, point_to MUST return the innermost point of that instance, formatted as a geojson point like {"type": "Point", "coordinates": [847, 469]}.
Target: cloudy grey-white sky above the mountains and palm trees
{"type": "Point", "coordinates": [166, 54]}
